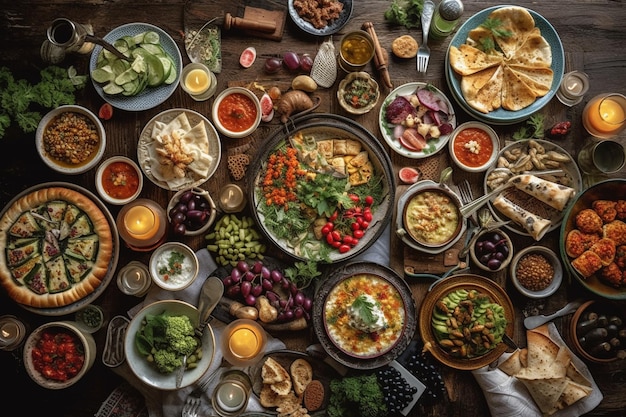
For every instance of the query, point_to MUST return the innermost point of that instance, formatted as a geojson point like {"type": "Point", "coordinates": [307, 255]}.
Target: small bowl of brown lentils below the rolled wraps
{"type": "Point", "coordinates": [536, 272]}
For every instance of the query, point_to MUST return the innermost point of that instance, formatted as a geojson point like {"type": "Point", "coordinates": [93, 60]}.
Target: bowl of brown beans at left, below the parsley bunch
{"type": "Point", "coordinates": [70, 139]}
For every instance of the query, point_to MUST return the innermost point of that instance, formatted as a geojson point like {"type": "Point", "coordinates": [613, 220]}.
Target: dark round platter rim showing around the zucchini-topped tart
{"type": "Point", "coordinates": [77, 305]}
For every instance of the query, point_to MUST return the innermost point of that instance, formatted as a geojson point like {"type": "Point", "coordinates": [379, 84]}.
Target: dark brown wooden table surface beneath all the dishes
{"type": "Point", "coordinates": [592, 34]}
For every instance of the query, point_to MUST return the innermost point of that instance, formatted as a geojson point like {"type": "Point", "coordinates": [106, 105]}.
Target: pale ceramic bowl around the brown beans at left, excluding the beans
{"type": "Point", "coordinates": [65, 168]}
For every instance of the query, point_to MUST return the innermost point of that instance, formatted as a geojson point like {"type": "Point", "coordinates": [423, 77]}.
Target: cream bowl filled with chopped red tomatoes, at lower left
{"type": "Point", "coordinates": [58, 354]}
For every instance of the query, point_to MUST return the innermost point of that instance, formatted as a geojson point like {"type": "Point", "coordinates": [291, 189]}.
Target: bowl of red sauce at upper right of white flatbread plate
{"type": "Point", "coordinates": [236, 112]}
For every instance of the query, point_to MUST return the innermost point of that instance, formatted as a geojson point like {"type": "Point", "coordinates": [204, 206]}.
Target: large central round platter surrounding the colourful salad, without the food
{"type": "Point", "coordinates": [321, 126]}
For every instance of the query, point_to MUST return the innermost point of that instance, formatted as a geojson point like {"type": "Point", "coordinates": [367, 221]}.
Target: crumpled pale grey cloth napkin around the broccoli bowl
{"type": "Point", "coordinates": [173, 401]}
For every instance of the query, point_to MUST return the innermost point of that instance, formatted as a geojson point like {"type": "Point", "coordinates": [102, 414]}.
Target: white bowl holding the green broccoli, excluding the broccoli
{"type": "Point", "coordinates": [147, 373]}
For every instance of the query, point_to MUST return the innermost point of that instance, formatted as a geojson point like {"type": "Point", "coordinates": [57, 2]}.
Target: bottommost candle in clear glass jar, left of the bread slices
{"type": "Point", "coordinates": [230, 396]}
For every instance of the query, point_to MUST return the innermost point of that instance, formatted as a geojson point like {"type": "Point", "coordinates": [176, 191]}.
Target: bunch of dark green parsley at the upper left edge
{"type": "Point", "coordinates": [21, 101]}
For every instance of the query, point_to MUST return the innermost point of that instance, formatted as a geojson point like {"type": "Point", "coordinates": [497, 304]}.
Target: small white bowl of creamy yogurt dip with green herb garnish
{"type": "Point", "coordinates": [173, 266]}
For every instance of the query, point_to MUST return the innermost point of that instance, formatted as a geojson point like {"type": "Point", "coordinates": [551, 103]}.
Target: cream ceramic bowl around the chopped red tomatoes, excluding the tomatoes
{"type": "Point", "coordinates": [85, 343]}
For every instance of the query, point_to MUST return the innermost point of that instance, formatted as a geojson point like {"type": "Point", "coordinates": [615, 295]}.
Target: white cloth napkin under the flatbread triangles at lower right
{"type": "Point", "coordinates": [507, 396]}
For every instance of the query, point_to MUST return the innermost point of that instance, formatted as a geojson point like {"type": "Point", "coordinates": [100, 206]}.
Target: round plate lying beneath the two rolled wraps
{"type": "Point", "coordinates": [572, 178]}
